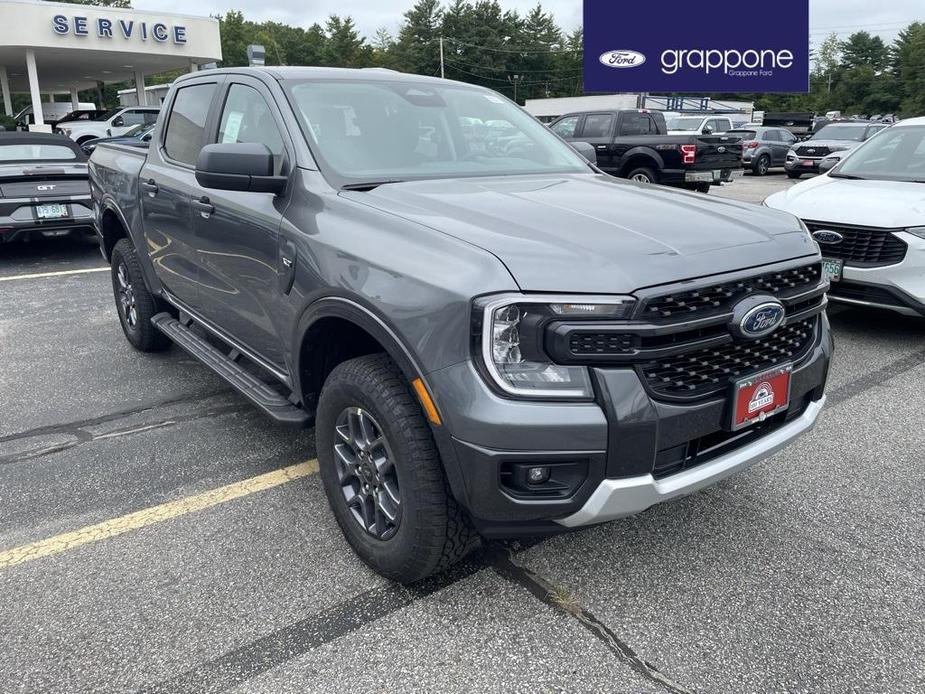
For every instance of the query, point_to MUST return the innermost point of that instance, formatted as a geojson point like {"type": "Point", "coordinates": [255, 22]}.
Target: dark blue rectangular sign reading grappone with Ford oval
{"type": "Point", "coordinates": [685, 46]}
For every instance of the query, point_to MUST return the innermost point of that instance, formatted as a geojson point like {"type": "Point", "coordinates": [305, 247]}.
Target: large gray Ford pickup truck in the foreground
{"type": "Point", "coordinates": [490, 336]}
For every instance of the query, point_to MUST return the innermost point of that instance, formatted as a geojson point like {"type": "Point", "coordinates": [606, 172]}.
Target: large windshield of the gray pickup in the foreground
{"type": "Point", "coordinates": [380, 131]}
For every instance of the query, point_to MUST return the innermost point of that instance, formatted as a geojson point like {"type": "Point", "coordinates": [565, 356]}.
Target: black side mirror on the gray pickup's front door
{"type": "Point", "coordinates": [246, 166]}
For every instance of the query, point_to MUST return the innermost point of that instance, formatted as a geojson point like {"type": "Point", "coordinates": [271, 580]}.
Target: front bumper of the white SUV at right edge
{"type": "Point", "coordinates": [899, 287]}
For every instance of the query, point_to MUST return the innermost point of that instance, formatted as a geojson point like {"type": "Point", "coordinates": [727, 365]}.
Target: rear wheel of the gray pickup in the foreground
{"type": "Point", "coordinates": [135, 304]}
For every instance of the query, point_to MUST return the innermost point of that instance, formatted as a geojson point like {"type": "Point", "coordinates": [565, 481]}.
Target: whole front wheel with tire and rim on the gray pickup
{"type": "Point", "coordinates": [382, 473]}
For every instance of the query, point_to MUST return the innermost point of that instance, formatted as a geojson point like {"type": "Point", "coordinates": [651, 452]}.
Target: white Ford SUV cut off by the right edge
{"type": "Point", "coordinates": [867, 215]}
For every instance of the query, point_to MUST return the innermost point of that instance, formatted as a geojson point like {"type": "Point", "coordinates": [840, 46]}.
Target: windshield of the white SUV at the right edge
{"type": "Point", "coordinates": [895, 155]}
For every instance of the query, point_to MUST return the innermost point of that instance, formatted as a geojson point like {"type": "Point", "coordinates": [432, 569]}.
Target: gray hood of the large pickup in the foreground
{"type": "Point", "coordinates": [594, 233]}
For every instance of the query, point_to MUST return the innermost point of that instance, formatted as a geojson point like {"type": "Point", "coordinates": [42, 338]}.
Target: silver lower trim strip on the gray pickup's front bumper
{"type": "Point", "coordinates": [615, 498]}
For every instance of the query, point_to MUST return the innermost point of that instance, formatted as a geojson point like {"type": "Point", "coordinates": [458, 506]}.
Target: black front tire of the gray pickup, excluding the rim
{"type": "Point", "coordinates": [433, 532]}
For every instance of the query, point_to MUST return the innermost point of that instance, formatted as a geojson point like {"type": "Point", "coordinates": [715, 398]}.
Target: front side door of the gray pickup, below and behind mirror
{"type": "Point", "coordinates": [237, 233]}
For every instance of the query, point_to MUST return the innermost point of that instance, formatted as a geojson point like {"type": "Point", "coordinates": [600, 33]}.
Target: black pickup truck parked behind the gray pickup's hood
{"type": "Point", "coordinates": [633, 144]}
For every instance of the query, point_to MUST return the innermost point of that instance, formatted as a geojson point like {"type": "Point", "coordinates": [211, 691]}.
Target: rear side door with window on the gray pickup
{"type": "Point", "coordinates": [167, 183]}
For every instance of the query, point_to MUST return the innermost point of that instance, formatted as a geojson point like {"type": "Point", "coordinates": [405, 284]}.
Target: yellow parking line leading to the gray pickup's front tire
{"type": "Point", "coordinates": [154, 514]}
